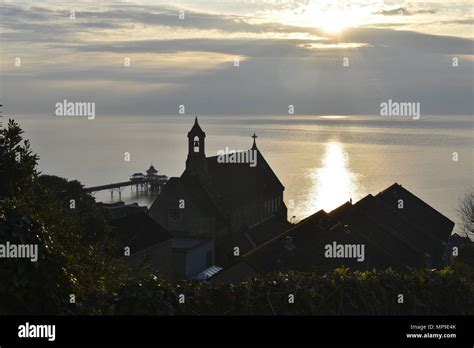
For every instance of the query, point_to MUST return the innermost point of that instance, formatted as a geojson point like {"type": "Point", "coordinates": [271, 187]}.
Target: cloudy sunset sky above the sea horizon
{"type": "Point", "coordinates": [232, 57]}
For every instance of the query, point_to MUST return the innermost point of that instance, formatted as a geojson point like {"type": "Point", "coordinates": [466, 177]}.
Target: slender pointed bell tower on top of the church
{"type": "Point", "coordinates": [196, 161]}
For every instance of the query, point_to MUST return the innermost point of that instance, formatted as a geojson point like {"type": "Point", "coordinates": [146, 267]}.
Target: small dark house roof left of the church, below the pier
{"type": "Point", "coordinates": [139, 231]}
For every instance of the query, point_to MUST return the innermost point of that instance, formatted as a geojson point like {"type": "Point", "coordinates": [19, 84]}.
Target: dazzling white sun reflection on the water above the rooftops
{"type": "Point", "coordinates": [333, 182]}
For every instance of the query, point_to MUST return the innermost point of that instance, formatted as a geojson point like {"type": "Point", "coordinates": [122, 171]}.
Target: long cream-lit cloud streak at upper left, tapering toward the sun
{"type": "Point", "coordinates": [23, 21]}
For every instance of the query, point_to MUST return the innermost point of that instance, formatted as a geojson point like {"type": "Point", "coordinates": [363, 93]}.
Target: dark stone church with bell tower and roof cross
{"type": "Point", "coordinates": [236, 205]}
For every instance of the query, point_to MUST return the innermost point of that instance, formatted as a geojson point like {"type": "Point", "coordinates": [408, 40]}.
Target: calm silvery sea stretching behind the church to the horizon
{"type": "Point", "coordinates": [322, 161]}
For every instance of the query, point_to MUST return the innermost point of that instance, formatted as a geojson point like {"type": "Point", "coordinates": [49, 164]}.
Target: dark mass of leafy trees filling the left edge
{"type": "Point", "coordinates": [77, 255]}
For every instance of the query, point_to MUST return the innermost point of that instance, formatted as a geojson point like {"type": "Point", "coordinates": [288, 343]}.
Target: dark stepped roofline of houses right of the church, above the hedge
{"type": "Point", "coordinates": [392, 239]}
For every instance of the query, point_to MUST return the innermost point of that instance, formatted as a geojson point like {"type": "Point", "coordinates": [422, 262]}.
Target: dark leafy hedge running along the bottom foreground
{"type": "Point", "coordinates": [341, 292]}
